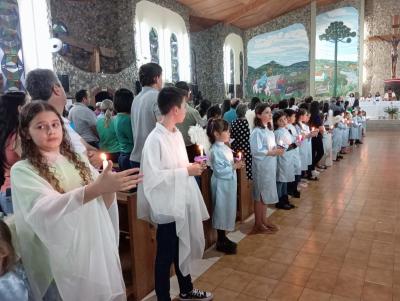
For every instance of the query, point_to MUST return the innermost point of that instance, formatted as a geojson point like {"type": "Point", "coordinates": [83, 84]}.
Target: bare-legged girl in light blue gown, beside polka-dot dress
{"type": "Point", "coordinates": [264, 151]}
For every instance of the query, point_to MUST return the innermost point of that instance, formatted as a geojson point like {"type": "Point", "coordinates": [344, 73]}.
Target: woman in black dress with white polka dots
{"type": "Point", "coordinates": [240, 133]}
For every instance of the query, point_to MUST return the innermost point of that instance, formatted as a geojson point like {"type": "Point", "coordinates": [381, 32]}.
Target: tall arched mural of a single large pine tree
{"type": "Point", "coordinates": [338, 28]}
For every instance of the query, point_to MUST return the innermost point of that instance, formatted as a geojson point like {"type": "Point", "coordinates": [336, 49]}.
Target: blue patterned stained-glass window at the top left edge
{"type": "Point", "coordinates": [12, 73]}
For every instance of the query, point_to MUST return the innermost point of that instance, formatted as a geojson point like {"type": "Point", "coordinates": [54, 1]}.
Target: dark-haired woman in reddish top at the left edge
{"type": "Point", "coordinates": [10, 105]}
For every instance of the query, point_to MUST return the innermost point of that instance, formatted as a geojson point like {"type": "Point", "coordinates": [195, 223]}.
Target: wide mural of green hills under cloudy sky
{"type": "Point", "coordinates": [278, 64]}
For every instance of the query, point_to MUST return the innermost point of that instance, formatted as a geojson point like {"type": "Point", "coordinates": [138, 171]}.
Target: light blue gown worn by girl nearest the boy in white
{"type": "Point", "coordinates": [223, 187]}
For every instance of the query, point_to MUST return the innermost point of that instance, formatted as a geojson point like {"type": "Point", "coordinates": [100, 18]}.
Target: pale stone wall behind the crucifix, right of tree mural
{"type": "Point", "coordinates": [377, 59]}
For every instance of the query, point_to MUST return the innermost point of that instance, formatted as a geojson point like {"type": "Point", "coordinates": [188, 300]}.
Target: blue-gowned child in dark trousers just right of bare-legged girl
{"type": "Point", "coordinates": [285, 169]}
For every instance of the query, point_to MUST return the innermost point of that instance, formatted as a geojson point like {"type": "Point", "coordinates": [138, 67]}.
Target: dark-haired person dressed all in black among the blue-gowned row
{"type": "Point", "coordinates": [316, 123]}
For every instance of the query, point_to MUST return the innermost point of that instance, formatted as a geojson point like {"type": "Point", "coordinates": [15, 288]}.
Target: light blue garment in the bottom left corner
{"type": "Point", "coordinates": [14, 285]}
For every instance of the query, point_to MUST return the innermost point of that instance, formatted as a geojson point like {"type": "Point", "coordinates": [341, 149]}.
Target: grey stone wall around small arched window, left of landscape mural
{"type": "Point", "coordinates": [208, 48]}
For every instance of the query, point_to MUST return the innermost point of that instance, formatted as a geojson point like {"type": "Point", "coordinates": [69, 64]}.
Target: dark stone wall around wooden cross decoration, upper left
{"type": "Point", "coordinates": [109, 24]}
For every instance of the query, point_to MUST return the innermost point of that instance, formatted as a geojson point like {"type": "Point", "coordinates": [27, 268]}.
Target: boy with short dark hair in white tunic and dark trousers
{"type": "Point", "coordinates": [170, 198]}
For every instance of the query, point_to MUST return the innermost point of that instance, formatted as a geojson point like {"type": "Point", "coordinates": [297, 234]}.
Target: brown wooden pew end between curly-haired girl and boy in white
{"type": "Point", "coordinates": [137, 248]}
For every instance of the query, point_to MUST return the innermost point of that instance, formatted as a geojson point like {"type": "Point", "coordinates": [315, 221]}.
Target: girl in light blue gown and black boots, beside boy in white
{"type": "Point", "coordinates": [223, 183]}
